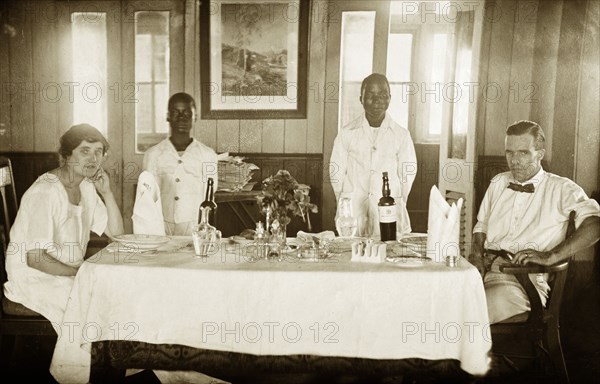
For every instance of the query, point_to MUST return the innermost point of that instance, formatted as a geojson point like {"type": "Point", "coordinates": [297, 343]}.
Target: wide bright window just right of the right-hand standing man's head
{"type": "Point", "coordinates": [419, 64]}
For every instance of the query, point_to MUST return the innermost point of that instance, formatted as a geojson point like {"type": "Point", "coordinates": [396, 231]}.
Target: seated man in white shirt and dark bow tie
{"type": "Point", "coordinates": [523, 219]}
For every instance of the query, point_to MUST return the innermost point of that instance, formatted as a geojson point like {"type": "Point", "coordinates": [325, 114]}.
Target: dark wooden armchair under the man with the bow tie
{"type": "Point", "coordinates": [540, 326]}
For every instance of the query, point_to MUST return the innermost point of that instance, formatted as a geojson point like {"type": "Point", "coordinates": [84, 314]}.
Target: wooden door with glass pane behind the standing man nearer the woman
{"type": "Point", "coordinates": [145, 94]}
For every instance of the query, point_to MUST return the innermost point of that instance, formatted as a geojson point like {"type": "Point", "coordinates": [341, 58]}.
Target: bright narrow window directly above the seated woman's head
{"type": "Point", "coordinates": [88, 33]}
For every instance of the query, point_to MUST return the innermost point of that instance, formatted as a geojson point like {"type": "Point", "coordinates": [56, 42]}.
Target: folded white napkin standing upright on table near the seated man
{"type": "Point", "coordinates": [443, 227]}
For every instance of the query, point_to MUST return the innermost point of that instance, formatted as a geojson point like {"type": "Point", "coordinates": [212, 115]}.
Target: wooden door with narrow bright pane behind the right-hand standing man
{"type": "Point", "coordinates": [371, 19]}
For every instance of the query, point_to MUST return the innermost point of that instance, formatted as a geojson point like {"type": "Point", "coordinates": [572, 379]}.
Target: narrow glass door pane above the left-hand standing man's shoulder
{"type": "Point", "coordinates": [151, 77]}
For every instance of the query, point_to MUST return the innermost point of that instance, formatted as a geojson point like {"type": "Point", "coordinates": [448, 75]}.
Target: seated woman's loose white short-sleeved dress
{"type": "Point", "coordinates": [47, 220]}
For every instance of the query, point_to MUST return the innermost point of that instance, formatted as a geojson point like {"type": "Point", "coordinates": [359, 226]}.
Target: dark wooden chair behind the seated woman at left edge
{"type": "Point", "coordinates": [15, 319]}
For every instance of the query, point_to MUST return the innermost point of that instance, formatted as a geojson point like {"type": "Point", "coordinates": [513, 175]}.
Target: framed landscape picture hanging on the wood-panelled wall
{"type": "Point", "coordinates": [253, 59]}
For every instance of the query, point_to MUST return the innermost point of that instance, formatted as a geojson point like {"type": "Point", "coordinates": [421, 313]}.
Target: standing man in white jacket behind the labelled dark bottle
{"type": "Point", "coordinates": [371, 144]}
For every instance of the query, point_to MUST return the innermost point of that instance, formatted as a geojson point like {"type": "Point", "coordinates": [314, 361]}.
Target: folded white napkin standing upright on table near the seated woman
{"type": "Point", "coordinates": [147, 210]}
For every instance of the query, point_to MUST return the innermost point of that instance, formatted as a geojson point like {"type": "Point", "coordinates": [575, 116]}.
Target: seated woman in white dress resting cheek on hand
{"type": "Point", "coordinates": [50, 234]}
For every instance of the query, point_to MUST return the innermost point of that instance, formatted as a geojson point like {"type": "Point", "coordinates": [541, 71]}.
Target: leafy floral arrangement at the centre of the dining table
{"type": "Point", "coordinates": [286, 198]}
